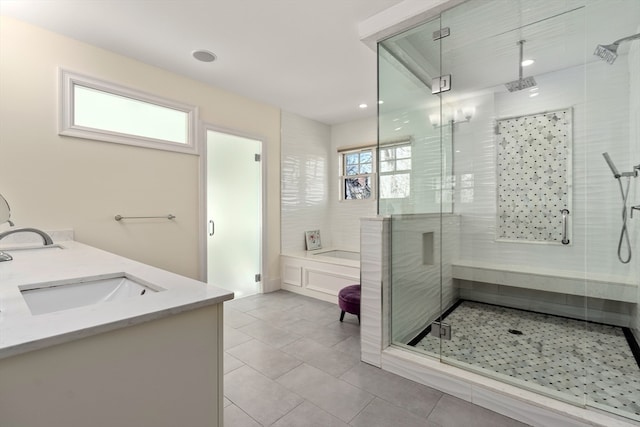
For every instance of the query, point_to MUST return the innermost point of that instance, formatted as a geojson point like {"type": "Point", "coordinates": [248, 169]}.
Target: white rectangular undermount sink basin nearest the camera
{"type": "Point", "coordinates": [62, 295]}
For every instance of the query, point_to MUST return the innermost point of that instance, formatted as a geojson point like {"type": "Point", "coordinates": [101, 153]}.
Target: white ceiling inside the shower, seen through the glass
{"type": "Point", "coordinates": [559, 35]}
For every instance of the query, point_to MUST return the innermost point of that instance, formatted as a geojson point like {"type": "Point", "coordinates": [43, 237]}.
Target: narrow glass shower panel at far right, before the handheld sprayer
{"type": "Point", "coordinates": [612, 126]}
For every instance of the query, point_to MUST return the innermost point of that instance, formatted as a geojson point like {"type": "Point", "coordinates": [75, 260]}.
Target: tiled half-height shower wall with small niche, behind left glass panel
{"type": "Point", "coordinates": [417, 271]}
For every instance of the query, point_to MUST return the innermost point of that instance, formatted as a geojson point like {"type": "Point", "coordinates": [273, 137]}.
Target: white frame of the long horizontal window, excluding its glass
{"type": "Point", "coordinates": [66, 126]}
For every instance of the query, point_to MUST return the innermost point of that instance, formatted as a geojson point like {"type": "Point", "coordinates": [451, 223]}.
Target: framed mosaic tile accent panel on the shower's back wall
{"type": "Point", "coordinates": [534, 176]}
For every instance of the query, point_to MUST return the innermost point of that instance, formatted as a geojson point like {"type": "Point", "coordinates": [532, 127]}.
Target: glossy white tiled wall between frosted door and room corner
{"type": "Point", "coordinates": [304, 181]}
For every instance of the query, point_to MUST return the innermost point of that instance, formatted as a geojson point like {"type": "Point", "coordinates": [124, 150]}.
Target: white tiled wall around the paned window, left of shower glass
{"type": "Point", "coordinates": [345, 214]}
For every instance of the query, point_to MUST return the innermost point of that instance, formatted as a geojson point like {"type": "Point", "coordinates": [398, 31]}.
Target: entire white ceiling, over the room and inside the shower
{"type": "Point", "coordinates": [305, 57]}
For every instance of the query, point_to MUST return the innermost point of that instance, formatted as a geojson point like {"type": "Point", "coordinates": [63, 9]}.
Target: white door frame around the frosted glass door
{"type": "Point", "coordinates": [203, 218]}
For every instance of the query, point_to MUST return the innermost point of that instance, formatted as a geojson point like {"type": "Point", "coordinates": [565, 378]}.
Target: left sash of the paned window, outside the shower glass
{"type": "Point", "coordinates": [357, 174]}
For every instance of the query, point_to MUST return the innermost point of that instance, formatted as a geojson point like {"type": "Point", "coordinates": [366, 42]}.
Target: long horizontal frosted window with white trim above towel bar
{"type": "Point", "coordinates": [103, 111]}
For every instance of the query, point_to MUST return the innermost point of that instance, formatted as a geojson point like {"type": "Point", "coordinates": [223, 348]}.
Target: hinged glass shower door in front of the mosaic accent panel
{"type": "Point", "coordinates": [514, 130]}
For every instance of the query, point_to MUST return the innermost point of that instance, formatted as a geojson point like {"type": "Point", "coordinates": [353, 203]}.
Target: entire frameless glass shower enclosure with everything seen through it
{"type": "Point", "coordinates": [514, 253]}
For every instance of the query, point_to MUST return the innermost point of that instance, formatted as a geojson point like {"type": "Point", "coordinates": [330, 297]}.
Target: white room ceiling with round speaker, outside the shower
{"type": "Point", "coordinates": [304, 57]}
